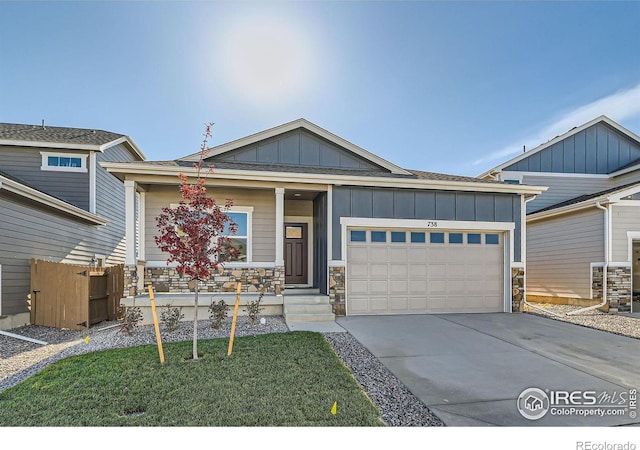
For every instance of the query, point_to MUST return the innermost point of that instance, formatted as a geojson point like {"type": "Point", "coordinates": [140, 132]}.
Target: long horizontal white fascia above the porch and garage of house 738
{"type": "Point", "coordinates": [337, 180]}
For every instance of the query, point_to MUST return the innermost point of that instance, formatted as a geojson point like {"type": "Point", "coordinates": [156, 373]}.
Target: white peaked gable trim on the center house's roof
{"type": "Point", "coordinates": [300, 123]}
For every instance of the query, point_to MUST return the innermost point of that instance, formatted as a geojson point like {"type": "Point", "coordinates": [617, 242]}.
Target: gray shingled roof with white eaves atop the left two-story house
{"type": "Point", "coordinates": [63, 137]}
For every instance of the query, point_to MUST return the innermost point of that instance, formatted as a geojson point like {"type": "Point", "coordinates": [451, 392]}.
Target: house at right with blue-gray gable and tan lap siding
{"type": "Point", "coordinates": [589, 218]}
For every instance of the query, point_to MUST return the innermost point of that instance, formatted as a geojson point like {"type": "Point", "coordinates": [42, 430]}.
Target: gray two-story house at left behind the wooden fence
{"type": "Point", "coordinates": [57, 203]}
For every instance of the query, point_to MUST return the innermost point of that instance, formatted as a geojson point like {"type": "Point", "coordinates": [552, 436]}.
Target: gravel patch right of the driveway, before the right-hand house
{"type": "Point", "coordinates": [620, 323]}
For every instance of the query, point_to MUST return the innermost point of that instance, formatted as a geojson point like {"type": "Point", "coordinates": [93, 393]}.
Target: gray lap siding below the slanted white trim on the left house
{"type": "Point", "coordinates": [27, 231]}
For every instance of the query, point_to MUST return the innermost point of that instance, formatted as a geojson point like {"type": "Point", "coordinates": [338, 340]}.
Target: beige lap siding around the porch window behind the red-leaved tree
{"type": "Point", "coordinates": [264, 219]}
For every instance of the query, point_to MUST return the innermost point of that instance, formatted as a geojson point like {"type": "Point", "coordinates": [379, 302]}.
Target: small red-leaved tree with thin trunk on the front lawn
{"type": "Point", "coordinates": [193, 232]}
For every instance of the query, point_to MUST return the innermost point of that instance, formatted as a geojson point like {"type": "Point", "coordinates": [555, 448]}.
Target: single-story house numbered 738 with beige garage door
{"type": "Point", "coordinates": [316, 211]}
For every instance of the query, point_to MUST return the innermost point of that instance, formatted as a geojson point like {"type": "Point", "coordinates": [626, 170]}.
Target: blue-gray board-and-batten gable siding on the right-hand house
{"type": "Point", "coordinates": [596, 150]}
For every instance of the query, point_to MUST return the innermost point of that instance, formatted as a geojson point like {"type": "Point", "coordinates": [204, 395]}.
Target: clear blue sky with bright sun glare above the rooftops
{"type": "Point", "coordinates": [452, 87]}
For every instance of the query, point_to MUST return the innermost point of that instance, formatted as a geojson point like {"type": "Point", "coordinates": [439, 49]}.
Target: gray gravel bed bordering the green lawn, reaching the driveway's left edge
{"type": "Point", "coordinates": [21, 359]}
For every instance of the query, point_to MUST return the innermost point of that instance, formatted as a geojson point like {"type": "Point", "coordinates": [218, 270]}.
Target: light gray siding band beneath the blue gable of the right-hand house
{"type": "Point", "coordinates": [562, 188]}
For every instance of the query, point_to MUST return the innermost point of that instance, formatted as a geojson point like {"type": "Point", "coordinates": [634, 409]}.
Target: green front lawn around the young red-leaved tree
{"type": "Point", "coordinates": [283, 379]}
